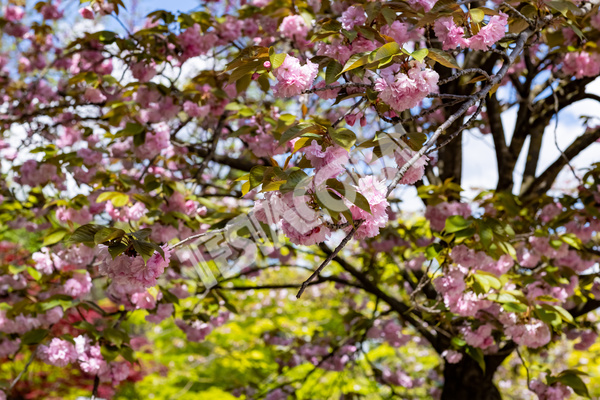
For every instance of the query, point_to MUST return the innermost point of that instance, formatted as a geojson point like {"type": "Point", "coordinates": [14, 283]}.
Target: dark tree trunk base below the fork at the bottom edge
{"type": "Point", "coordinates": [466, 381]}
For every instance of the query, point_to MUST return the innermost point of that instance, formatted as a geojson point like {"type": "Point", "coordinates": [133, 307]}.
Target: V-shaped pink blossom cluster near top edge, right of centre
{"type": "Point", "coordinates": [452, 36]}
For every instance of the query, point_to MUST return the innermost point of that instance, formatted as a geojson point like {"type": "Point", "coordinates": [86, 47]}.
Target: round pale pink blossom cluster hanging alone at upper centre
{"type": "Point", "coordinates": [293, 79]}
